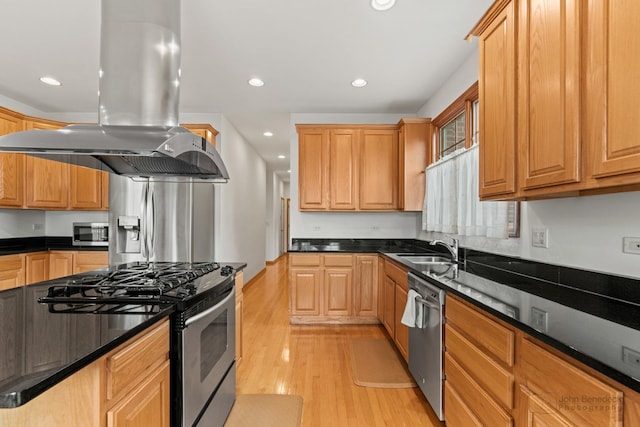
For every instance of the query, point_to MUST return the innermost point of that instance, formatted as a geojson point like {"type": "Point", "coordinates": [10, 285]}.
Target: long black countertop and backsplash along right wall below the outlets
{"type": "Point", "coordinates": [591, 323]}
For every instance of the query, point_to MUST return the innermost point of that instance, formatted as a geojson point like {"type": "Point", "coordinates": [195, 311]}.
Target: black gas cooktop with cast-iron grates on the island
{"type": "Point", "coordinates": [134, 286]}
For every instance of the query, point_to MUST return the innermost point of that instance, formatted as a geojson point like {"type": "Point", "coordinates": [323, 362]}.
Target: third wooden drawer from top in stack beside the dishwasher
{"type": "Point", "coordinates": [476, 399]}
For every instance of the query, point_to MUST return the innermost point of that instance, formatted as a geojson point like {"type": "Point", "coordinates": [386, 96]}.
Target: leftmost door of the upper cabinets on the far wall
{"type": "Point", "coordinates": [313, 169]}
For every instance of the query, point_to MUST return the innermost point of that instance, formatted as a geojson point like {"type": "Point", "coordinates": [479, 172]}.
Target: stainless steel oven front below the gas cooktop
{"type": "Point", "coordinates": [206, 379]}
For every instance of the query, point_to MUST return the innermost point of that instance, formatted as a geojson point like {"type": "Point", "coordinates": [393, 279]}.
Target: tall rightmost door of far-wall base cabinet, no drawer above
{"type": "Point", "coordinates": [366, 286]}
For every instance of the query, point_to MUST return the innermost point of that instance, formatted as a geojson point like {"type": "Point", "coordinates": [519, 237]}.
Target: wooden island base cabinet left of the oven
{"type": "Point", "coordinates": [129, 386]}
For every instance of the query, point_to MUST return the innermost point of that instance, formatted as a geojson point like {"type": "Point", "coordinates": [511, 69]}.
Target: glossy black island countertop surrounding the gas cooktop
{"type": "Point", "coordinates": [38, 348]}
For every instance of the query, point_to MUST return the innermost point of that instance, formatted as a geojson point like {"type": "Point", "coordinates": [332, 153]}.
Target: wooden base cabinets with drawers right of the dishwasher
{"type": "Point", "coordinates": [496, 374]}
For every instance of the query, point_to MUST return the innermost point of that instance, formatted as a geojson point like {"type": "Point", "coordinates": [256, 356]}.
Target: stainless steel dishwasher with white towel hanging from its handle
{"type": "Point", "coordinates": [425, 341]}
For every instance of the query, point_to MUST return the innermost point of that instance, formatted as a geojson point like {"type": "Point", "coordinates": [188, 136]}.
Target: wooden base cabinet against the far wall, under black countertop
{"type": "Point", "coordinates": [333, 288]}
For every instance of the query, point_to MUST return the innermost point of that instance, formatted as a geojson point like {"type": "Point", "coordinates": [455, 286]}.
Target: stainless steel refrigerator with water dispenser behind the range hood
{"type": "Point", "coordinates": [156, 219]}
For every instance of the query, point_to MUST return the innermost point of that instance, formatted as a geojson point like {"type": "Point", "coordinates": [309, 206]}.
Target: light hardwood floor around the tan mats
{"type": "Point", "coordinates": [314, 362]}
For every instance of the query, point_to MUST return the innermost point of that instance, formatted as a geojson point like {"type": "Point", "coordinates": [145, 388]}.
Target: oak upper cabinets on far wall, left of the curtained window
{"type": "Point", "coordinates": [363, 167]}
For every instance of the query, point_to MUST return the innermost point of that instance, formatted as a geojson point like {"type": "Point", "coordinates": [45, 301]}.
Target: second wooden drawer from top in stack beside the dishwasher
{"type": "Point", "coordinates": [489, 374]}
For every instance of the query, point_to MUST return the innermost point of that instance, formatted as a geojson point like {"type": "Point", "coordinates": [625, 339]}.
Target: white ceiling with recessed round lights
{"type": "Point", "coordinates": [306, 51]}
